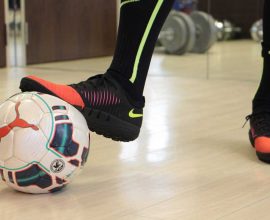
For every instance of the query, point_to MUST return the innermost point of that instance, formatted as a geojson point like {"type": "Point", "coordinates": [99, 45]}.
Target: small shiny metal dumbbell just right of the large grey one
{"type": "Point", "coordinates": [226, 30]}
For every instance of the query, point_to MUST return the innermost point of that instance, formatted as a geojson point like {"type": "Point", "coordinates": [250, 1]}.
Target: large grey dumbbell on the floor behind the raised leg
{"type": "Point", "coordinates": [184, 33]}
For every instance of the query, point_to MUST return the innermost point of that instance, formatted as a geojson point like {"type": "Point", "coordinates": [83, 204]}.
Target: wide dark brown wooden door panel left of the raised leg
{"type": "Point", "coordinates": [69, 29]}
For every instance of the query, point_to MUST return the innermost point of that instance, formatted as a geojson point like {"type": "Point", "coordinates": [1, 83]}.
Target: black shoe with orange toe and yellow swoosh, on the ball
{"type": "Point", "coordinates": [105, 105]}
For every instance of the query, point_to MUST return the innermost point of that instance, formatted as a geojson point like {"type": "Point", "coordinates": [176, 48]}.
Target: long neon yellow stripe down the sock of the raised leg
{"type": "Point", "coordinates": [145, 36]}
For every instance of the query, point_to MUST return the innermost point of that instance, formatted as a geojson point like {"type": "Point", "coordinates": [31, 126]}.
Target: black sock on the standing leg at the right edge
{"type": "Point", "coordinates": [261, 100]}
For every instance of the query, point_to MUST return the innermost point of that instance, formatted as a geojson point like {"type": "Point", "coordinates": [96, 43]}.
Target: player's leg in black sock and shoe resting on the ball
{"type": "Point", "coordinates": [113, 103]}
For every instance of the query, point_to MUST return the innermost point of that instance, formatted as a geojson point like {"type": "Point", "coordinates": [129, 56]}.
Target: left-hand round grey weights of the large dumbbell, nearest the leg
{"type": "Point", "coordinates": [178, 33]}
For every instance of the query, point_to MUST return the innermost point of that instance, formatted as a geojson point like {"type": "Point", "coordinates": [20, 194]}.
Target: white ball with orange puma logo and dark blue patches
{"type": "Point", "coordinates": [44, 142]}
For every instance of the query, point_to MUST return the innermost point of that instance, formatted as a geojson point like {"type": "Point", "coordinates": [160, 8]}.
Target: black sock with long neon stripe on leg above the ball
{"type": "Point", "coordinates": [140, 24]}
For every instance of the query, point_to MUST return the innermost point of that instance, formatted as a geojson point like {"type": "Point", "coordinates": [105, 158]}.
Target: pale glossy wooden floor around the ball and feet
{"type": "Point", "coordinates": [192, 160]}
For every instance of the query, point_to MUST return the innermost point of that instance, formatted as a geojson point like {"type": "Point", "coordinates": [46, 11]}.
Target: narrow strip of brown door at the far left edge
{"type": "Point", "coordinates": [2, 36]}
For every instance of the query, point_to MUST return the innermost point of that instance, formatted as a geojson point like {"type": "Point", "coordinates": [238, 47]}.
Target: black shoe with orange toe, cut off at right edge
{"type": "Point", "coordinates": [259, 134]}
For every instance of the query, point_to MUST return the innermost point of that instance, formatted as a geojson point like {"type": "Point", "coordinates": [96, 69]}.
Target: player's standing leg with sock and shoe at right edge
{"type": "Point", "coordinates": [260, 119]}
